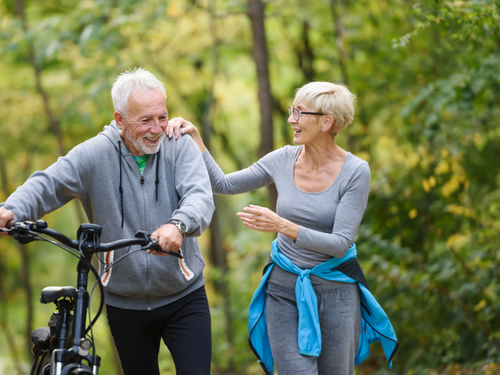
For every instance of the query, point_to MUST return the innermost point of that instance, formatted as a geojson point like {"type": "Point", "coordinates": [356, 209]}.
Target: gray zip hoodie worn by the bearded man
{"type": "Point", "coordinates": [175, 184]}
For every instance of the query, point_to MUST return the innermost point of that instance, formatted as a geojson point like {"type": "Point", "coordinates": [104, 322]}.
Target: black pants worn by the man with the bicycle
{"type": "Point", "coordinates": [184, 326]}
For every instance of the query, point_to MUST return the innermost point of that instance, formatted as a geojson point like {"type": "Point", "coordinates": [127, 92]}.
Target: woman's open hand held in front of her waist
{"type": "Point", "coordinates": [263, 219]}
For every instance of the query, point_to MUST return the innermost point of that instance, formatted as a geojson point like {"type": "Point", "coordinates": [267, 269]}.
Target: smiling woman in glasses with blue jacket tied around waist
{"type": "Point", "coordinates": [307, 313]}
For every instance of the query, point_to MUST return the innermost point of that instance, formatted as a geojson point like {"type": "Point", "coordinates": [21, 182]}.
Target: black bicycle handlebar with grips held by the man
{"type": "Point", "coordinates": [23, 233]}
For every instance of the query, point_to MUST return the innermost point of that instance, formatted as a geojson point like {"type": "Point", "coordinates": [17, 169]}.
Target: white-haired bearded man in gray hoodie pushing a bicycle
{"type": "Point", "coordinates": [131, 177]}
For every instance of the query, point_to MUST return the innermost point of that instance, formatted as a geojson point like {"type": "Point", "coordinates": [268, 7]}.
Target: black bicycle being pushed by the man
{"type": "Point", "coordinates": [63, 348]}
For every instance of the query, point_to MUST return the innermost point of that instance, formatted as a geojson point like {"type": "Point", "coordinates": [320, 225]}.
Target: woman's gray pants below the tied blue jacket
{"type": "Point", "coordinates": [340, 320]}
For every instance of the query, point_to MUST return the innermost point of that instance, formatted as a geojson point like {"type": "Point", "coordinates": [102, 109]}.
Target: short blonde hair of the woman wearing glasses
{"type": "Point", "coordinates": [330, 99]}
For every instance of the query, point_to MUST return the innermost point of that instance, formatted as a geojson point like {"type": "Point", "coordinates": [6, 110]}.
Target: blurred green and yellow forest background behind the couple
{"type": "Point", "coordinates": [427, 77]}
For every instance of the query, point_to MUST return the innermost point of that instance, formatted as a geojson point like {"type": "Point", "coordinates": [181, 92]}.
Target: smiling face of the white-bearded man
{"type": "Point", "coordinates": [144, 129]}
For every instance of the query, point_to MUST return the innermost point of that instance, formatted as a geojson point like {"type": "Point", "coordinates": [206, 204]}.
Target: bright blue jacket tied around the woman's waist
{"type": "Point", "coordinates": [375, 325]}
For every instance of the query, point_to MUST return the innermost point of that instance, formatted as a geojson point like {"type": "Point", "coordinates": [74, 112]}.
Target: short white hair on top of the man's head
{"type": "Point", "coordinates": [130, 81]}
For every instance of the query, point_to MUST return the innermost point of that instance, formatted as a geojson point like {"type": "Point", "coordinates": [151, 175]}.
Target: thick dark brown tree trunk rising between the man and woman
{"type": "Point", "coordinates": [266, 100]}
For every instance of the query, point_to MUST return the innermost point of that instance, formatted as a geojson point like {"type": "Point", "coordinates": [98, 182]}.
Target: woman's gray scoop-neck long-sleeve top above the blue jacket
{"type": "Point", "coordinates": [327, 220]}
